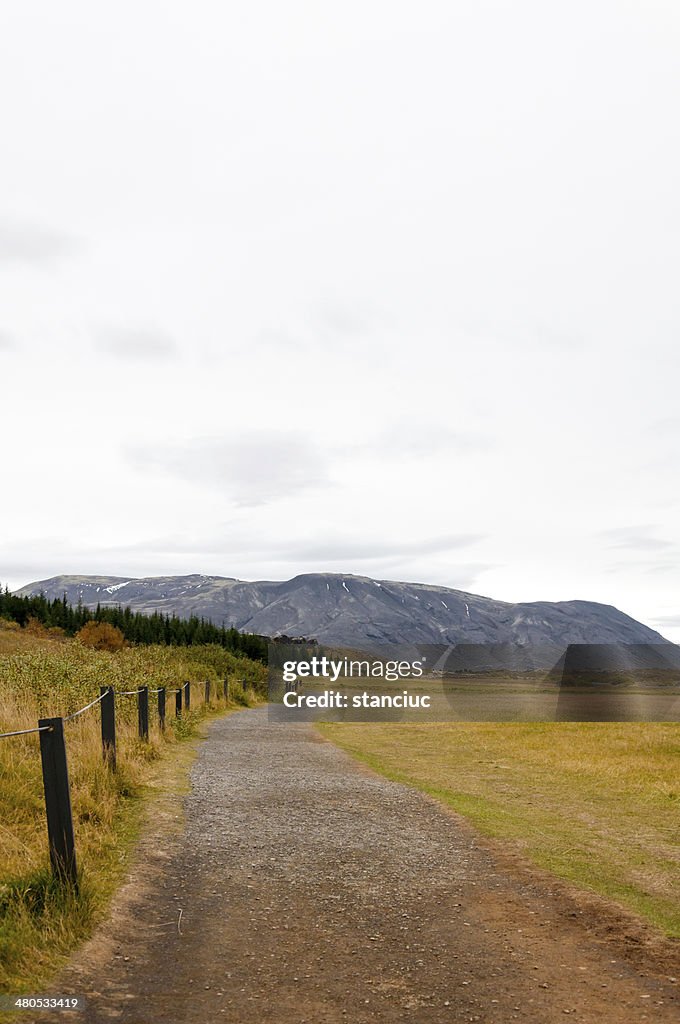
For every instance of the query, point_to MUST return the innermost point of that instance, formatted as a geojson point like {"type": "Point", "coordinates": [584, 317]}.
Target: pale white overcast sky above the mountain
{"type": "Point", "coordinates": [375, 287]}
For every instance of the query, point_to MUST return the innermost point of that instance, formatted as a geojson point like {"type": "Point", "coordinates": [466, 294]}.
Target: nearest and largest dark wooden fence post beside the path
{"type": "Point", "coordinates": [58, 800]}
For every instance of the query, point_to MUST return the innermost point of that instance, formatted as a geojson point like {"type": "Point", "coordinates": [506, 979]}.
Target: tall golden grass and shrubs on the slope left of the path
{"type": "Point", "coordinates": [45, 676]}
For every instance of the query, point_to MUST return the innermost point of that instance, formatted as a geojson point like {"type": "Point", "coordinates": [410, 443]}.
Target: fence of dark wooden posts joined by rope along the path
{"type": "Point", "coordinates": [54, 758]}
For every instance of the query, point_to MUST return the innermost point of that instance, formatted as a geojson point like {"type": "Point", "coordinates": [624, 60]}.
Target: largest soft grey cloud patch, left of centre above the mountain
{"type": "Point", "coordinates": [252, 470]}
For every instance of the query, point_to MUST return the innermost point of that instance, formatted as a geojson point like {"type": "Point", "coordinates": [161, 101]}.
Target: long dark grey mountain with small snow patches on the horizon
{"type": "Point", "coordinates": [357, 612]}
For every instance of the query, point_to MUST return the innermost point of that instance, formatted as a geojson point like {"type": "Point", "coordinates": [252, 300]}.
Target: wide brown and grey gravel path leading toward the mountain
{"type": "Point", "coordinates": [306, 889]}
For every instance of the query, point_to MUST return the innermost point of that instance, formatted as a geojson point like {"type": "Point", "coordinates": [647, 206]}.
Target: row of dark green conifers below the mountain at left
{"type": "Point", "coordinates": [137, 627]}
